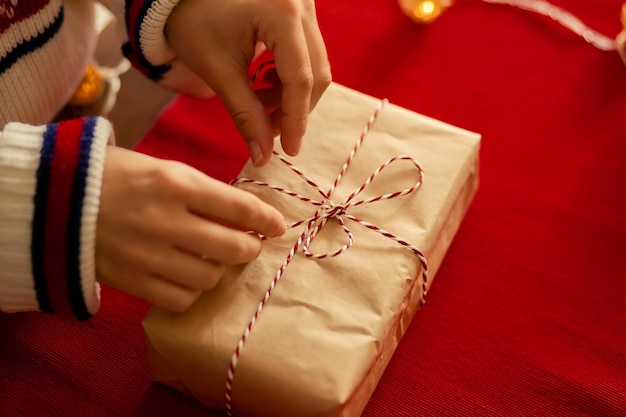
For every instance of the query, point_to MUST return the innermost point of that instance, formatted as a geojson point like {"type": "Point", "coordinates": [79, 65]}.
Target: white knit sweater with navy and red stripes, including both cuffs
{"type": "Point", "coordinates": [51, 173]}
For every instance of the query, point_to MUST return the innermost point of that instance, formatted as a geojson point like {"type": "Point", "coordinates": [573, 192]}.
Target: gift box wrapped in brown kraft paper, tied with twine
{"type": "Point", "coordinates": [307, 329]}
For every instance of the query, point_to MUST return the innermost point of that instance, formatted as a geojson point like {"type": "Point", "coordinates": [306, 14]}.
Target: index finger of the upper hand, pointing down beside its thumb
{"type": "Point", "coordinates": [294, 70]}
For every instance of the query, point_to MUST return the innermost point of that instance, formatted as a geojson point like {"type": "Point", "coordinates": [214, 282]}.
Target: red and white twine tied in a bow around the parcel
{"type": "Point", "coordinates": [327, 209]}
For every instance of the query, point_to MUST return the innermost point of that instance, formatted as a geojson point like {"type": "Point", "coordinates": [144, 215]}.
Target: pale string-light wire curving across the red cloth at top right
{"type": "Point", "coordinates": [565, 18]}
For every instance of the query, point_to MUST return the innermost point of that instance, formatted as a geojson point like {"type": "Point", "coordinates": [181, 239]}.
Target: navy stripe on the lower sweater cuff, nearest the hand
{"type": "Point", "coordinates": [75, 289]}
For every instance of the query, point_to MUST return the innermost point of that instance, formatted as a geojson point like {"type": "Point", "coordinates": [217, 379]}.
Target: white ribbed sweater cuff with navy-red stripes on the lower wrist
{"type": "Point", "coordinates": [50, 182]}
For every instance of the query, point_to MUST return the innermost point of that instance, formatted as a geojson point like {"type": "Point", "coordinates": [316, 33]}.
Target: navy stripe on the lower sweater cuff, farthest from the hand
{"type": "Point", "coordinates": [38, 241]}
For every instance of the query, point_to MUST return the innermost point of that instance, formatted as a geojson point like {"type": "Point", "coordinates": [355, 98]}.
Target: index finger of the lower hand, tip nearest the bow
{"type": "Point", "coordinates": [229, 205]}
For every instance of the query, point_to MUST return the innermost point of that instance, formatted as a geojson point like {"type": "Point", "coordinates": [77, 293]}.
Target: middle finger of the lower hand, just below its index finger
{"type": "Point", "coordinates": [218, 243]}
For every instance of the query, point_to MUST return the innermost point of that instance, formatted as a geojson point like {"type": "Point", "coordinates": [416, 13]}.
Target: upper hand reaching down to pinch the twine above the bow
{"type": "Point", "coordinates": [217, 40]}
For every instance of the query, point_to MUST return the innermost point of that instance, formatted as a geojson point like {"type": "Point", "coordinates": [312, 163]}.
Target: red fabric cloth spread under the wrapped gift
{"type": "Point", "coordinates": [527, 315]}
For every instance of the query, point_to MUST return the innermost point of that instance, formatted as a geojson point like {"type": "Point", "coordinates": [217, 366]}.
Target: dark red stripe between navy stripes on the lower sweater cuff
{"type": "Point", "coordinates": [62, 170]}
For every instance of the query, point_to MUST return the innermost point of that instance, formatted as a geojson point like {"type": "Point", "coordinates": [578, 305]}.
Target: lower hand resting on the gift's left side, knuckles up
{"type": "Point", "coordinates": [166, 231]}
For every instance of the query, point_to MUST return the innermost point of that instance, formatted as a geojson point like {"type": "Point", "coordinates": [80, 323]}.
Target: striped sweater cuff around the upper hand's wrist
{"type": "Point", "coordinates": [147, 47]}
